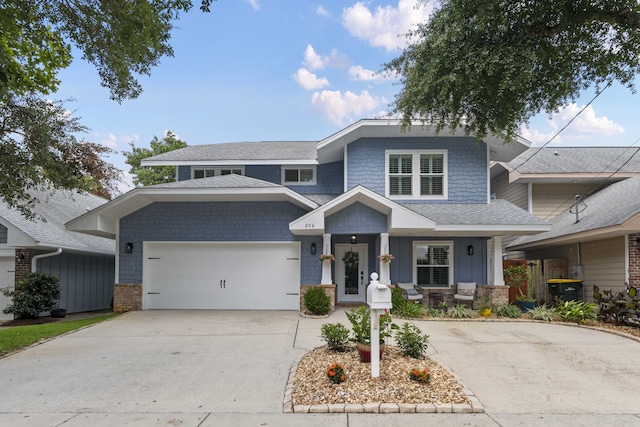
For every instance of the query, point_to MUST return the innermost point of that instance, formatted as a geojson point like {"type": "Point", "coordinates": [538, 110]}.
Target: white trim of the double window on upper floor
{"type": "Point", "coordinates": [415, 170]}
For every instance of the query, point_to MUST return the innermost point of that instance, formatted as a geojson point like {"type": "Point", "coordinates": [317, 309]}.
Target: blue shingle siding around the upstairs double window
{"type": "Point", "coordinates": [467, 165]}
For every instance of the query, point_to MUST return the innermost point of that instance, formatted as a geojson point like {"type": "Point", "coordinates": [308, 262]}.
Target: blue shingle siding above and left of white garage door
{"type": "Point", "coordinates": [202, 221]}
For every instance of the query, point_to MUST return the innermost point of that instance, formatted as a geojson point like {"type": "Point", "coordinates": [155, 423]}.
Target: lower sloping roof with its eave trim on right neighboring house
{"type": "Point", "coordinates": [613, 211]}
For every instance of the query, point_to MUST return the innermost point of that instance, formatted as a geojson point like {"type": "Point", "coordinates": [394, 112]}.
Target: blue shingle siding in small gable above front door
{"type": "Point", "coordinates": [356, 219]}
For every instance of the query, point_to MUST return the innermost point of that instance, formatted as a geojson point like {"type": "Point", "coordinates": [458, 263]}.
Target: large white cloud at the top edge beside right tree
{"type": "Point", "coordinates": [386, 26]}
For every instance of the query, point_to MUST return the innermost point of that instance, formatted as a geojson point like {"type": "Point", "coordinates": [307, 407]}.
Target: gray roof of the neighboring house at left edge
{"type": "Point", "coordinates": [56, 208]}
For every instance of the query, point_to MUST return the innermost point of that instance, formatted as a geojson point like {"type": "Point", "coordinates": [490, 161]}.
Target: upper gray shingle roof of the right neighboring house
{"type": "Point", "coordinates": [557, 160]}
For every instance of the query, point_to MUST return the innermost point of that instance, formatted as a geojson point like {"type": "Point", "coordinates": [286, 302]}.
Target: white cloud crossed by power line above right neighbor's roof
{"type": "Point", "coordinates": [587, 125]}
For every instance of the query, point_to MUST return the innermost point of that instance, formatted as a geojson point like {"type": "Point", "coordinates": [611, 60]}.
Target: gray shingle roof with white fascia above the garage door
{"type": "Point", "coordinates": [103, 221]}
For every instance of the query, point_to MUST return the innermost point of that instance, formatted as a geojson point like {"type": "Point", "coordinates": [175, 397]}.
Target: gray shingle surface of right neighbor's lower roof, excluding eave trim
{"type": "Point", "coordinates": [611, 206]}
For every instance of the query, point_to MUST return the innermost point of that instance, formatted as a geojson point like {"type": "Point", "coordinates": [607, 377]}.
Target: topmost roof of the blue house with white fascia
{"type": "Point", "coordinates": [328, 150]}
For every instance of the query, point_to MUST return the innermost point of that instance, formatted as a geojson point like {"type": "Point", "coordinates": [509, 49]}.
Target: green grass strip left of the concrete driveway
{"type": "Point", "coordinates": [22, 336]}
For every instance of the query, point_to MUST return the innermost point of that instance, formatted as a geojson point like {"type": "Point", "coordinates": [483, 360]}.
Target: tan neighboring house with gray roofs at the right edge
{"type": "Point", "coordinates": [604, 181]}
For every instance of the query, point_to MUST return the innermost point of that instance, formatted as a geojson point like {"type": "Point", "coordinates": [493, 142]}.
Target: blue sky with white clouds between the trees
{"type": "Point", "coordinates": [273, 70]}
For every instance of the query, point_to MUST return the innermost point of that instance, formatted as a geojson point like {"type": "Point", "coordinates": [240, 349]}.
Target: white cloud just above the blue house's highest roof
{"type": "Point", "coordinates": [338, 107]}
